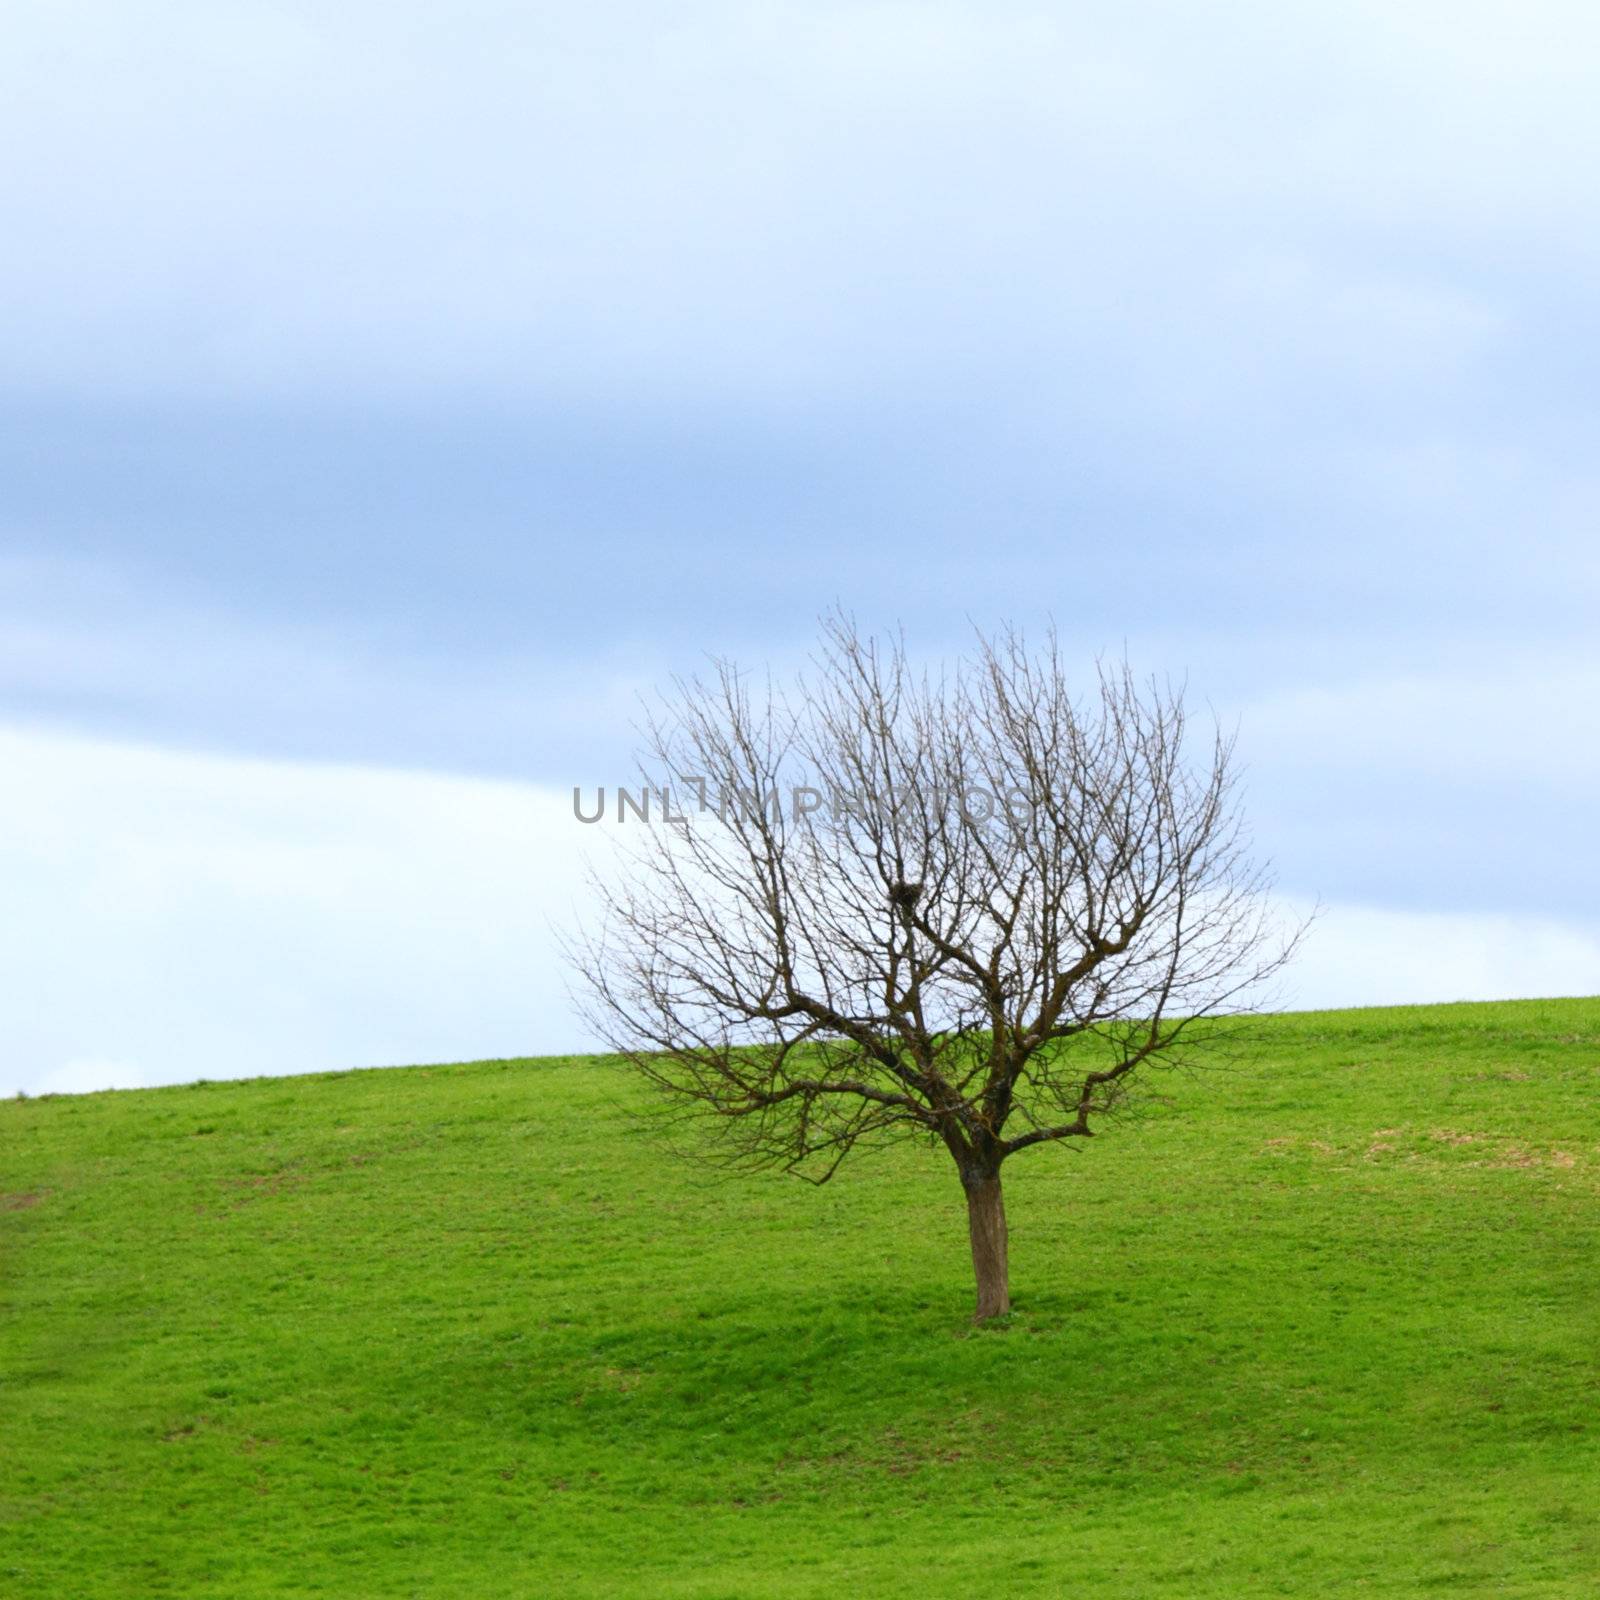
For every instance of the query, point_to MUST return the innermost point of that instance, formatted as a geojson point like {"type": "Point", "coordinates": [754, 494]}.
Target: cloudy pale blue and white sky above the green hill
{"type": "Point", "coordinates": [393, 394]}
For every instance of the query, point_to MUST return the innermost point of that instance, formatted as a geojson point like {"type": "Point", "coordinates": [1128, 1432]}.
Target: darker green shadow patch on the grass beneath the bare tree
{"type": "Point", "coordinates": [812, 1390]}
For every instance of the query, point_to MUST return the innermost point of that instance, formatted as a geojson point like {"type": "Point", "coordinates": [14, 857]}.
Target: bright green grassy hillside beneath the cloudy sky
{"type": "Point", "coordinates": [1329, 1324]}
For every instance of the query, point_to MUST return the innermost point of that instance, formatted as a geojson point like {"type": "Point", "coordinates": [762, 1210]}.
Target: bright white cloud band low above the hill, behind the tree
{"type": "Point", "coordinates": [191, 916]}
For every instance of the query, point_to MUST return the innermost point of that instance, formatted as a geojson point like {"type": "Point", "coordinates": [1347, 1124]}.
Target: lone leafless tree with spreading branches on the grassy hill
{"type": "Point", "coordinates": [962, 908]}
